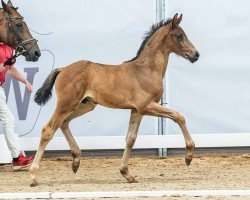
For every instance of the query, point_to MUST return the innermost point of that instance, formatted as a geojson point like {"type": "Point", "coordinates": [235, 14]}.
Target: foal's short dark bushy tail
{"type": "Point", "coordinates": [44, 93]}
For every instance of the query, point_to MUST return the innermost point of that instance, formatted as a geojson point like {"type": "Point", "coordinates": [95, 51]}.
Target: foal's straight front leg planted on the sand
{"type": "Point", "coordinates": [134, 123]}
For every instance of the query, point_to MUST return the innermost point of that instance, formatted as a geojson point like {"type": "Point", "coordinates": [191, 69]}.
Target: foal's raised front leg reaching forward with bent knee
{"type": "Point", "coordinates": [157, 110]}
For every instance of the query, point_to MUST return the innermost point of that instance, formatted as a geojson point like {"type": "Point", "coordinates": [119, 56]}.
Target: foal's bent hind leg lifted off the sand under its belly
{"type": "Point", "coordinates": [76, 151]}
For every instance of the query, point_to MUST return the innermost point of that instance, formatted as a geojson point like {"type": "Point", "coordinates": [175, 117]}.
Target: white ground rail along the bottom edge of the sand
{"type": "Point", "coordinates": [117, 194]}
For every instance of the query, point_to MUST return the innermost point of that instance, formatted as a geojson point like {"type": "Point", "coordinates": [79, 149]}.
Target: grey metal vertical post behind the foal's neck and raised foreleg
{"type": "Point", "coordinates": [160, 15]}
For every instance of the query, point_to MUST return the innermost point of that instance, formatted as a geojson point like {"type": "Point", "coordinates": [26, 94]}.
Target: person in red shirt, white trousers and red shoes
{"type": "Point", "coordinates": [19, 161]}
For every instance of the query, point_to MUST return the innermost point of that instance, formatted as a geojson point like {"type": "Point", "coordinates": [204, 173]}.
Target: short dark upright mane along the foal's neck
{"type": "Point", "coordinates": [148, 35]}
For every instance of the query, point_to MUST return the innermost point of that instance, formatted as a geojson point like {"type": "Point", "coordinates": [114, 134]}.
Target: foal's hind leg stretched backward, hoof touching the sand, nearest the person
{"type": "Point", "coordinates": [48, 131]}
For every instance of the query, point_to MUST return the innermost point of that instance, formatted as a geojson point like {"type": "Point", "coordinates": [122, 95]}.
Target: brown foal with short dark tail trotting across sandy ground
{"type": "Point", "coordinates": [136, 85]}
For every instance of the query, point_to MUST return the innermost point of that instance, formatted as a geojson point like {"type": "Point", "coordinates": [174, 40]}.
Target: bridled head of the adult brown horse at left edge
{"type": "Point", "coordinates": [15, 33]}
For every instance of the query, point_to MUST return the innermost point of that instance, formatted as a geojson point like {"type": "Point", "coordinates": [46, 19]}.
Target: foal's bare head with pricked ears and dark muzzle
{"type": "Point", "coordinates": [180, 42]}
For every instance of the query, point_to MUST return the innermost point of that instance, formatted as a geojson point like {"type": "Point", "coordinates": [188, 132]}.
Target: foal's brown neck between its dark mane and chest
{"type": "Point", "coordinates": [156, 52]}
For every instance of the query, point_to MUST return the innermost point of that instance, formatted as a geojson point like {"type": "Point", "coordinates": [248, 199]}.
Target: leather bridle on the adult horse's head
{"type": "Point", "coordinates": [19, 44]}
